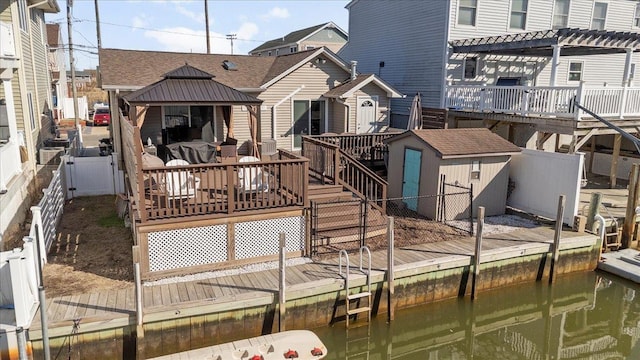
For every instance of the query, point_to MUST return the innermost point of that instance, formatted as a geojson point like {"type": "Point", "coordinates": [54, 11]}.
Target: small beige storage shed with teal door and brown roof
{"type": "Point", "coordinates": [478, 157]}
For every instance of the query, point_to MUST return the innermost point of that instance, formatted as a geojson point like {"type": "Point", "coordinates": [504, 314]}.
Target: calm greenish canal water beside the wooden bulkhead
{"type": "Point", "coordinates": [584, 316]}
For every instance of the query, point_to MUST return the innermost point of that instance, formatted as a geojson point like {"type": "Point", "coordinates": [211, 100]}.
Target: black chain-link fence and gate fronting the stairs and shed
{"type": "Point", "coordinates": [420, 219]}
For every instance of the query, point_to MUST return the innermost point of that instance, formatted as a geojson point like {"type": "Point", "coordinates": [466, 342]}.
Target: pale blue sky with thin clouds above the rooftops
{"type": "Point", "coordinates": [179, 25]}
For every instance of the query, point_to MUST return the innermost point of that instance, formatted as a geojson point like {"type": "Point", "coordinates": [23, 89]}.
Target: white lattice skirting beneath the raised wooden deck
{"type": "Point", "coordinates": [176, 249]}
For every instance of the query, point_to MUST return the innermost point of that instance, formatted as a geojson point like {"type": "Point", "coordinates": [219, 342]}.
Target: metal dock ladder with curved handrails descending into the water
{"type": "Point", "coordinates": [354, 301]}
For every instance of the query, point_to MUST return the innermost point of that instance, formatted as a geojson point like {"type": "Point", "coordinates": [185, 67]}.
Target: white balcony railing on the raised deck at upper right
{"type": "Point", "coordinates": [556, 101]}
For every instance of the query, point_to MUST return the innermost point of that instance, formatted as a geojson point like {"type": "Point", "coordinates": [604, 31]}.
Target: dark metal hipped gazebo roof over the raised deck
{"type": "Point", "coordinates": [192, 85]}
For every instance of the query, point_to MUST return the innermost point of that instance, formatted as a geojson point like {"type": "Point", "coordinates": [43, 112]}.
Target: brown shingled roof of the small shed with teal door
{"type": "Point", "coordinates": [455, 143]}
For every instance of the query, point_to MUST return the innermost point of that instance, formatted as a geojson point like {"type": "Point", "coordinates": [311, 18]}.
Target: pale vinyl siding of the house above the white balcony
{"type": "Point", "coordinates": [492, 19]}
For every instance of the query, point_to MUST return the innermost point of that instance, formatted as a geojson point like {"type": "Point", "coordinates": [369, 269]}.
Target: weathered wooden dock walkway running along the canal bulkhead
{"type": "Point", "coordinates": [111, 309]}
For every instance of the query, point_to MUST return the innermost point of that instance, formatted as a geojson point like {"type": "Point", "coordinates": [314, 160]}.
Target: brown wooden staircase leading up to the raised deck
{"type": "Point", "coordinates": [338, 217]}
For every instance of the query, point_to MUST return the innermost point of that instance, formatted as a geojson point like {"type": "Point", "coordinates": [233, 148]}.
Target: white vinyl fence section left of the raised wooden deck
{"type": "Point", "coordinates": [90, 176]}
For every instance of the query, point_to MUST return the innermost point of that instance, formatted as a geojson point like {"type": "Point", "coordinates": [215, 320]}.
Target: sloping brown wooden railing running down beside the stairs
{"type": "Point", "coordinates": [331, 163]}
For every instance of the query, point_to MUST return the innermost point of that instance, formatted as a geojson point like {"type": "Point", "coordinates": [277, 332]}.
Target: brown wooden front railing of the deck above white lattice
{"type": "Point", "coordinates": [224, 189]}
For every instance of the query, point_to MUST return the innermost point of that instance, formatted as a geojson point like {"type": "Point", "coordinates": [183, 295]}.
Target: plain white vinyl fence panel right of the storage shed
{"type": "Point", "coordinates": [541, 177]}
